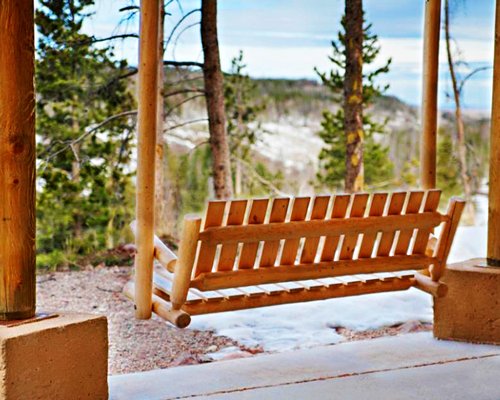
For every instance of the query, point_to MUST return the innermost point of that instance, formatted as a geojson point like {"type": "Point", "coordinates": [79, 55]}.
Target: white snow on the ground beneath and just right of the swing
{"type": "Point", "coordinates": [293, 326]}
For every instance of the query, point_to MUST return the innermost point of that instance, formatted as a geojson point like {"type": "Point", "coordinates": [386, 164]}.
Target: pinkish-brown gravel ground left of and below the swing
{"type": "Point", "coordinates": [144, 345]}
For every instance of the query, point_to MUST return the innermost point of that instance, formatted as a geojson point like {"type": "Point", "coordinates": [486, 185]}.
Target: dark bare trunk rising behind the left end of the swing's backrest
{"type": "Point", "coordinates": [214, 92]}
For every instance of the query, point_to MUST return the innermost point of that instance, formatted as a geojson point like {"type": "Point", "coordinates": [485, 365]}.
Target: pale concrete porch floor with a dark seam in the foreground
{"type": "Point", "coordinates": [411, 366]}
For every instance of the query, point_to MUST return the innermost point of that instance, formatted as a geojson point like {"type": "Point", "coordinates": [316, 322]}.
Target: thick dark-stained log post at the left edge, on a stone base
{"type": "Point", "coordinates": [17, 160]}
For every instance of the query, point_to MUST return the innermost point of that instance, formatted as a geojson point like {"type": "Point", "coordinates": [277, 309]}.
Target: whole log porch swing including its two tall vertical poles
{"type": "Point", "coordinates": [262, 252]}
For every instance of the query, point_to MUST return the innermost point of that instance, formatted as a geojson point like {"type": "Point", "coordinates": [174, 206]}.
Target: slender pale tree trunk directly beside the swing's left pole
{"type": "Point", "coordinates": [165, 204]}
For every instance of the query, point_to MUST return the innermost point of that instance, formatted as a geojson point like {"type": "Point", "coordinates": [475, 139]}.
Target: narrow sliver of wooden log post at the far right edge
{"type": "Point", "coordinates": [493, 256]}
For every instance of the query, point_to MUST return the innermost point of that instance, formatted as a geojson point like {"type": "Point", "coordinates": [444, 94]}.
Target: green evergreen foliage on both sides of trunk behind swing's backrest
{"type": "Point", "coordinates": [377, 165]}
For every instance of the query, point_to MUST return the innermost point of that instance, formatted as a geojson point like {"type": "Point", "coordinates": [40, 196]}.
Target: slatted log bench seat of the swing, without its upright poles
{"type": "Point", "coordinates": [263, 252]}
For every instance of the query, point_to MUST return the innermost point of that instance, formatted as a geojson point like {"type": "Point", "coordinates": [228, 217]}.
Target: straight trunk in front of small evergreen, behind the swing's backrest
{"type": "Point", "coordinates": [353, 95]}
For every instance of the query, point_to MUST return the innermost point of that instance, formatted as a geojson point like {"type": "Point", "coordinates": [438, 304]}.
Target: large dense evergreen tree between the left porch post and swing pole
{"type": "Point", "coordinates": [83, 181]}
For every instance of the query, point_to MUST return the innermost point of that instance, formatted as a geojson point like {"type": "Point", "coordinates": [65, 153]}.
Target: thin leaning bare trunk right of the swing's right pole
{"type": "Point", "coordinates": [460, 131]}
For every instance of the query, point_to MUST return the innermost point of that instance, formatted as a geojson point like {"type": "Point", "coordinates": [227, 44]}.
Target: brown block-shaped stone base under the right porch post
{"type": "Point", "coordinates": [471, 309]}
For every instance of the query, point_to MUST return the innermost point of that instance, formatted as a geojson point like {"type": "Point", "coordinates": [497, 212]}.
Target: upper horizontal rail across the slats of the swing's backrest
{"type": "Point", "coordinates": [316, 228]}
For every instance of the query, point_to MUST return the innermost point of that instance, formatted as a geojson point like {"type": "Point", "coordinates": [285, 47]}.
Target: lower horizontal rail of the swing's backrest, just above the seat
{"type": "Point", "coordinates": [289, 273]}
